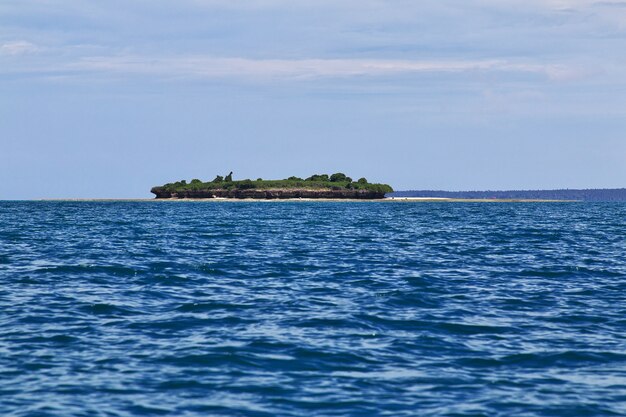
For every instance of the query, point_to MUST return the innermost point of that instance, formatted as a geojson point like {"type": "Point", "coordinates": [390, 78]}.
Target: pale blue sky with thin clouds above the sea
{"type": "Point", "coordinates": [105, 99]}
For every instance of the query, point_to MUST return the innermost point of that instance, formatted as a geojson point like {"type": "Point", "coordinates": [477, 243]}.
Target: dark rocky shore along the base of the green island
{"type": "Point", "coordinates": [269, 194]}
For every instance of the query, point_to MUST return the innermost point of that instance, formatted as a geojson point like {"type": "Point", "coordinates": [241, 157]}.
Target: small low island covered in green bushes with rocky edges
{"type": "Point", "coordinates": [319, 186]}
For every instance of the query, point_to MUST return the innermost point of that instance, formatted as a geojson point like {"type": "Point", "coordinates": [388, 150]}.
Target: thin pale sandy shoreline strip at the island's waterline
{"type": "Point", "coordinates": [385, 200]}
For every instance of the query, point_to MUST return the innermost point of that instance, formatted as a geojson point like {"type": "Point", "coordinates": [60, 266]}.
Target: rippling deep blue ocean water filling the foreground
{"type": "Point", "coordinates": [312, 309]}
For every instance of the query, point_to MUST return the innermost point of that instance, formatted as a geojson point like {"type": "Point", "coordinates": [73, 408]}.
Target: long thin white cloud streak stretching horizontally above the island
{"type": "Point", "coordinates": [206, 67]}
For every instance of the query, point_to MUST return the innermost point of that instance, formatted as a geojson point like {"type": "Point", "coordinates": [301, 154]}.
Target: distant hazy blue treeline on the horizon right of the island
{"type": "Point", "coordinates": [613, 194]}
